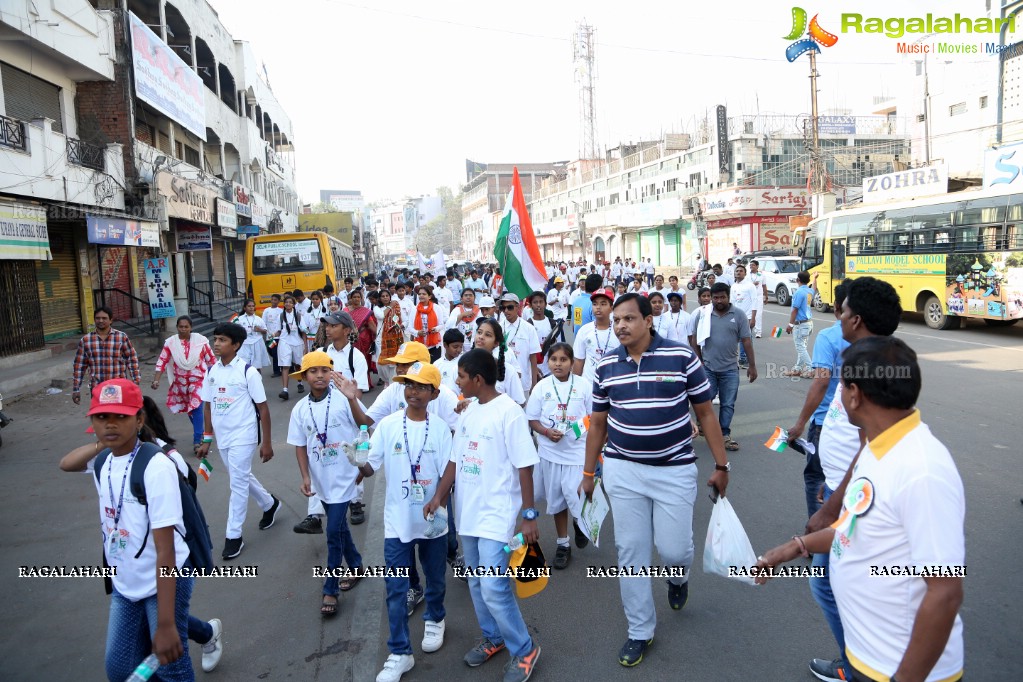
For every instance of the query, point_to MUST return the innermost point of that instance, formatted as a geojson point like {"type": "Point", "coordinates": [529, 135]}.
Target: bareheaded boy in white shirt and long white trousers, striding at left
{"type": "Point", "coordinates": [229, 393]}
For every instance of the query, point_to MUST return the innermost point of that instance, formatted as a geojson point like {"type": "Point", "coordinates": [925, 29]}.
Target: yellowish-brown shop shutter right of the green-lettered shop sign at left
{"type": "Point", "coordinates": [58, 285]}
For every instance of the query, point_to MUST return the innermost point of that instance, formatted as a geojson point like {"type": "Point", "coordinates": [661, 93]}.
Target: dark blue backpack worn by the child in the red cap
{"type": "Point", "coordinates": [197, 530]}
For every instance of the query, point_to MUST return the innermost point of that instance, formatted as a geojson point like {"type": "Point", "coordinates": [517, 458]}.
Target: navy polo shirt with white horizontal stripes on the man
{"type": "Point", "coordinates": [648, 404]}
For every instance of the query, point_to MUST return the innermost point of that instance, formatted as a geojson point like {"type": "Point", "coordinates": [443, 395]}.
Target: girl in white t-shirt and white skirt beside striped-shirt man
{"type": "Point", "coordinates": [557, 411]}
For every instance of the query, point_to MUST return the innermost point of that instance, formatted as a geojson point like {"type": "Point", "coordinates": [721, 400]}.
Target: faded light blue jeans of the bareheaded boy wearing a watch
{"type": "Point", "coordinates": [494, 598]}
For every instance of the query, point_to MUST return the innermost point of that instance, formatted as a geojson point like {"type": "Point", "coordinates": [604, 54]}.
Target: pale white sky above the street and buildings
{"type": "Point", "coordinates": [391, 98]}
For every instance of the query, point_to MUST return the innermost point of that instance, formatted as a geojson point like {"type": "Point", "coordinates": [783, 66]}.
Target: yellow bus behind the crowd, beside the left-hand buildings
{"type": "Point", "coordinates": [307, 261]}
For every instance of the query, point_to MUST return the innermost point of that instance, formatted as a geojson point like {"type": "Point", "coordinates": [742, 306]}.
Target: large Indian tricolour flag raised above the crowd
{"type": "Point", "coordinates": [516, 248]}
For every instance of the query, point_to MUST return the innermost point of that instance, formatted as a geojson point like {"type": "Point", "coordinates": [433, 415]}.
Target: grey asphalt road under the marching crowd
{"type": "Point", "coordinates": [56, 629]}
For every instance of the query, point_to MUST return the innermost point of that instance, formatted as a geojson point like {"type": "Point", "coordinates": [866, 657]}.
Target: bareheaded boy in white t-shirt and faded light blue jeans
{"type": "Point", "coordinates": [493, 461]}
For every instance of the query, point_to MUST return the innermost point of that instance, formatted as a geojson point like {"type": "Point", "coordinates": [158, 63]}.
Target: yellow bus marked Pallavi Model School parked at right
{"type": "Point", "coordinates": [950, 257]}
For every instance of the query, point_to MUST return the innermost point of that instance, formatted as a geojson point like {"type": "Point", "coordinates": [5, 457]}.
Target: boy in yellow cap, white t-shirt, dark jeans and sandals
{"type": "Point", "coordinates": [324, 426]}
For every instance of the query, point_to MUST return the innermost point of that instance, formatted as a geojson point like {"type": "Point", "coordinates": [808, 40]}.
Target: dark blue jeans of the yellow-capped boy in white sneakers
{"type": "Point", "coordinates": [398, 554]}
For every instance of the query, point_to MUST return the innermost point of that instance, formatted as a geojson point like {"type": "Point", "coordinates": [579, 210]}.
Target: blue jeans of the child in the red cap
{"type": "Point", "coordinates": [130, 631]}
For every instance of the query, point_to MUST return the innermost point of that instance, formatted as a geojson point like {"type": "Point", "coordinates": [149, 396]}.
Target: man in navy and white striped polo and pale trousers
{"type": "Point", "coordinates": [642, 396]}
